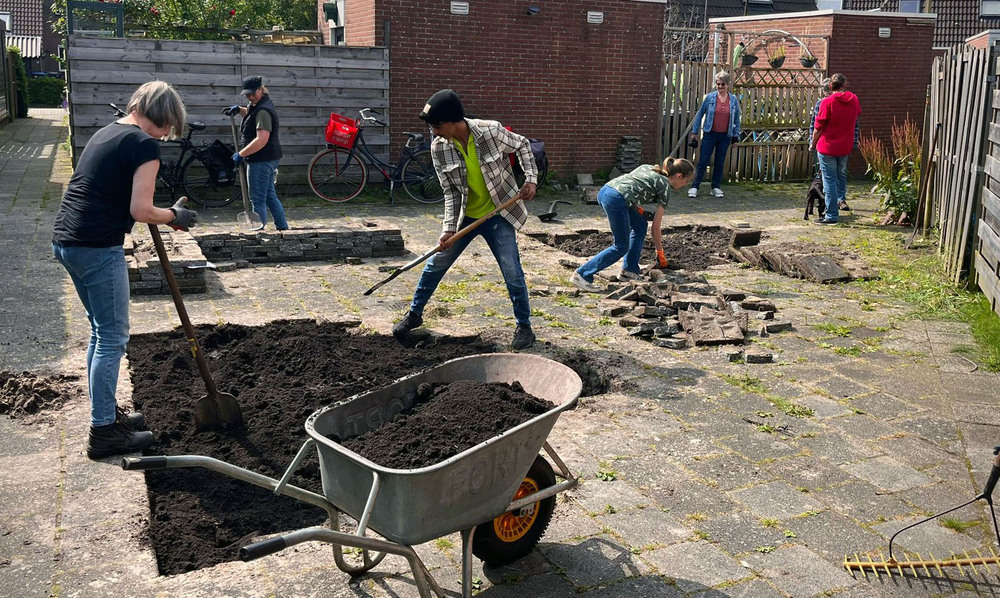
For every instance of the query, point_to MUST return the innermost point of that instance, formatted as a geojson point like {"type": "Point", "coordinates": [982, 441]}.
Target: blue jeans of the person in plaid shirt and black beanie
{"type": "Point", "coordinates": [502, 239]}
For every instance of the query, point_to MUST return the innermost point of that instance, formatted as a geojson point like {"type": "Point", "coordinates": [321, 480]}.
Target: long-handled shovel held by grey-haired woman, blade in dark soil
{"type": "Point", "coordinates": [217, 409]}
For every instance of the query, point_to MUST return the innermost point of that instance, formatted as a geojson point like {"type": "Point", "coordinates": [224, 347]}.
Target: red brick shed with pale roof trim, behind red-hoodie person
{"type": "Point", "coordinates": [890, 75]}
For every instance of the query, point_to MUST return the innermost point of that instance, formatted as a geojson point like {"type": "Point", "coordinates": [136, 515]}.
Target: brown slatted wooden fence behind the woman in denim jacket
{"type": "Point", "coordinates": [775, 104]}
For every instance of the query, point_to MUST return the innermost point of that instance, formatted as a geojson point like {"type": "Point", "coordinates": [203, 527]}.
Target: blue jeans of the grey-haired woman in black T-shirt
{"type": "Point", "coordinates": [101, 280]}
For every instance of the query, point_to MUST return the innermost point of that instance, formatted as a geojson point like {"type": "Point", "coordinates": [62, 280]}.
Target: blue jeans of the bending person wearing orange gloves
{"type": "Point", "coordinates": [628, 228]}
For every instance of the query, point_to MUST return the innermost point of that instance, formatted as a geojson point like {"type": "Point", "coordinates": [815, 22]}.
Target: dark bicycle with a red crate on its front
{"type": "Point", "coordinates": [338, 173]}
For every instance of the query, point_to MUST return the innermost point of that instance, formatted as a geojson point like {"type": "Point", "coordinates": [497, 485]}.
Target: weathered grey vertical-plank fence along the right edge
{"type": "Point", "coordinates": [960, 99]}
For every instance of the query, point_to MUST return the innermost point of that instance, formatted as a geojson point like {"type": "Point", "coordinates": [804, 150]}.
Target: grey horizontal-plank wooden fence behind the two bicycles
{"type": "Point", "coordinates": [306, 82]}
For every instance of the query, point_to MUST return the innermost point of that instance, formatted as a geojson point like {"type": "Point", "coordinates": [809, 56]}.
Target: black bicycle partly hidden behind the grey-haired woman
{"type": "Point", "coordinates": [200, 175]}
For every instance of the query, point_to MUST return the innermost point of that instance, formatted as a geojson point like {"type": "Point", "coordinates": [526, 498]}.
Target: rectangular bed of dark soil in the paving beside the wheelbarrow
{"type": "Point", "coordinates": [280, 373]}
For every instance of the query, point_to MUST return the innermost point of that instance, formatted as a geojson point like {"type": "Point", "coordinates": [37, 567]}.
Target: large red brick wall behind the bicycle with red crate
{"type": "Point", "coordinates": [579, 87]}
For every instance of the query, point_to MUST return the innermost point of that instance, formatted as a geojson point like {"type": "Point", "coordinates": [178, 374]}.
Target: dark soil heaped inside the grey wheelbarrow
{"type": "Point", "coordinates": [446, 420]}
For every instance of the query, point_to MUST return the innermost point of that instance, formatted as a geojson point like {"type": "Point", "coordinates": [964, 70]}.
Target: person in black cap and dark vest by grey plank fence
{"type": "Point", "coordinates": [261, 150]}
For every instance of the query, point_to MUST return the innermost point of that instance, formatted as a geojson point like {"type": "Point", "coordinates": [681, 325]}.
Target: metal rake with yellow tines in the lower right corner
{"type": "Point", "coordinates": [919, 565]}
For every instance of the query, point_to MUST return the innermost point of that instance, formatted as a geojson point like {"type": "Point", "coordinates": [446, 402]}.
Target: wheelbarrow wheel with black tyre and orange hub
{"type": "Point", "coordinates": [512, 535]}
